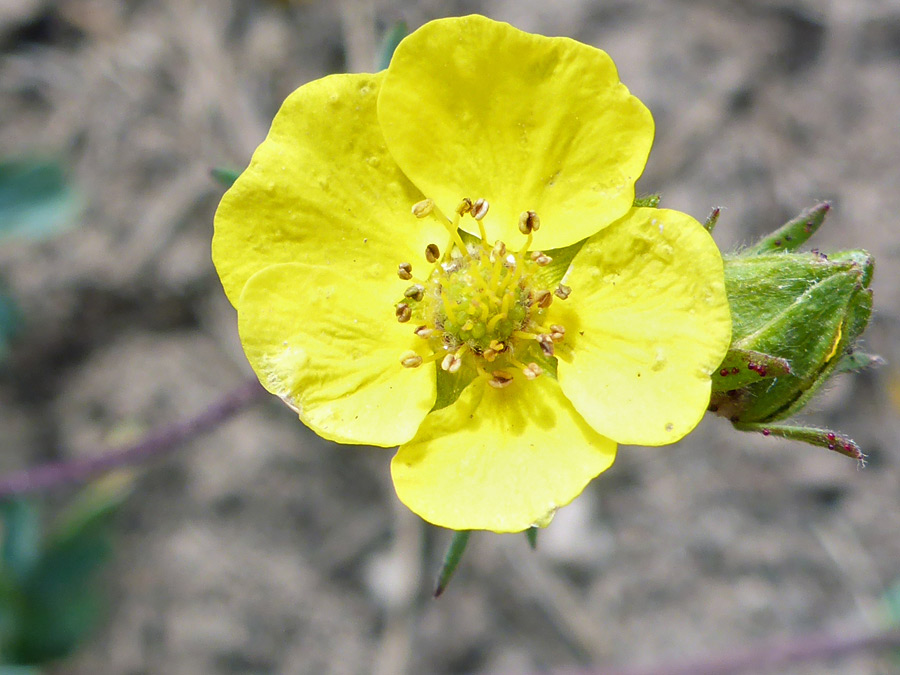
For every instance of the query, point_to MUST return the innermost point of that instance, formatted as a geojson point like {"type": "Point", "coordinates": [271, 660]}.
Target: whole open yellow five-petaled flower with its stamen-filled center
{"type": "Point", "coordinates": [508, 357]}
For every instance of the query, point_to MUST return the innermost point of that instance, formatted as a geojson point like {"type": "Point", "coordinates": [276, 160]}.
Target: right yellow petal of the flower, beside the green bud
{"type": "Point", "coordinates": [646, 324]}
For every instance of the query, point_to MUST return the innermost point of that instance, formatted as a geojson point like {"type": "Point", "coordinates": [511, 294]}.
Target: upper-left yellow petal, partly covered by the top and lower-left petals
{"type": "Point", "coordinates": [322, 189]}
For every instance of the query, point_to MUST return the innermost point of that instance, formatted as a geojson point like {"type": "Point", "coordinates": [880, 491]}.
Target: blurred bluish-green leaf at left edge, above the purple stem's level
{"type": "Point", "coordinates": [36, 199]}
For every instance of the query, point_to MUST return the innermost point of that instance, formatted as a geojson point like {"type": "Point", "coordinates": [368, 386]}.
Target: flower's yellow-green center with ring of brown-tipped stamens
{"type": "Point", "coordinates": [481, 304]}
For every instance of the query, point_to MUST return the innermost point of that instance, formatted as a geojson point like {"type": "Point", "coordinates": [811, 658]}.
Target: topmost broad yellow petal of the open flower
{"type": "Point", "coordinates": [475, 108]}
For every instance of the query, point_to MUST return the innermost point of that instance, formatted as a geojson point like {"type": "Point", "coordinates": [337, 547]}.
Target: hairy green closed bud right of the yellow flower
{"type": "Point", "coordinates": [795, 319]}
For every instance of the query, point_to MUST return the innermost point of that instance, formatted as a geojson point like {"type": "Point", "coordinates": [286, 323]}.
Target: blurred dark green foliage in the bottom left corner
{"type": "Point", "coordinates": [49, 597]}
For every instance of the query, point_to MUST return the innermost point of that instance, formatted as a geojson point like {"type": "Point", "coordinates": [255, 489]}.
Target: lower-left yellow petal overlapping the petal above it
{"type": "Point", "coordinates": [331, 347]}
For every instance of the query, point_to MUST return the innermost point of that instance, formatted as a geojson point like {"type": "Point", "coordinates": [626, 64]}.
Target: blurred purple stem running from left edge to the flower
{"type": "Point", "coordinates": [155, 444]}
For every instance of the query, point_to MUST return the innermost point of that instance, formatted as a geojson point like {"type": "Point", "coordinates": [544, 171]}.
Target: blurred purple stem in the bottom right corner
{"type": "Point", "coordinates": [771, 655]}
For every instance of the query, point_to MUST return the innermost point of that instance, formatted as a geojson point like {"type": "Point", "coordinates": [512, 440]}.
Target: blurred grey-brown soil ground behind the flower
{"type": "Point", "coordinates": [261, 549]}
